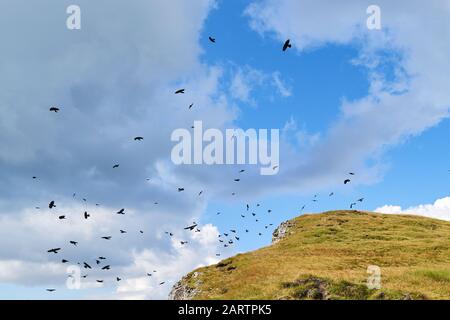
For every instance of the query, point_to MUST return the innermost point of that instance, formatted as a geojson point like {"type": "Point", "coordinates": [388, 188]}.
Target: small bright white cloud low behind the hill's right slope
{"type": "Point", "coordinates": [440, 209]}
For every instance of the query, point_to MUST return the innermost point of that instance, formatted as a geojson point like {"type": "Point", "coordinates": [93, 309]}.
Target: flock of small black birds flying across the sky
{"type": "Point", "coordinates": [226, 239]}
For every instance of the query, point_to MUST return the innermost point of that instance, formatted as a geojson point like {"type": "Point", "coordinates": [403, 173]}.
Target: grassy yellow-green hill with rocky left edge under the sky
{"type": "Point", "coordinates": [325, 256]}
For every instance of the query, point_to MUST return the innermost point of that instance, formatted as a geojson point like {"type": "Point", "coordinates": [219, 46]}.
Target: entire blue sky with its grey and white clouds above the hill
{"type": "Point", "coordinates": [346, 99]}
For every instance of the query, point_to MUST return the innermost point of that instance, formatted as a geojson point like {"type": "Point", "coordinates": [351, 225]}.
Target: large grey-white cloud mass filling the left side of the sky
{"type": "Point", "coordinates": [113, 80]}
